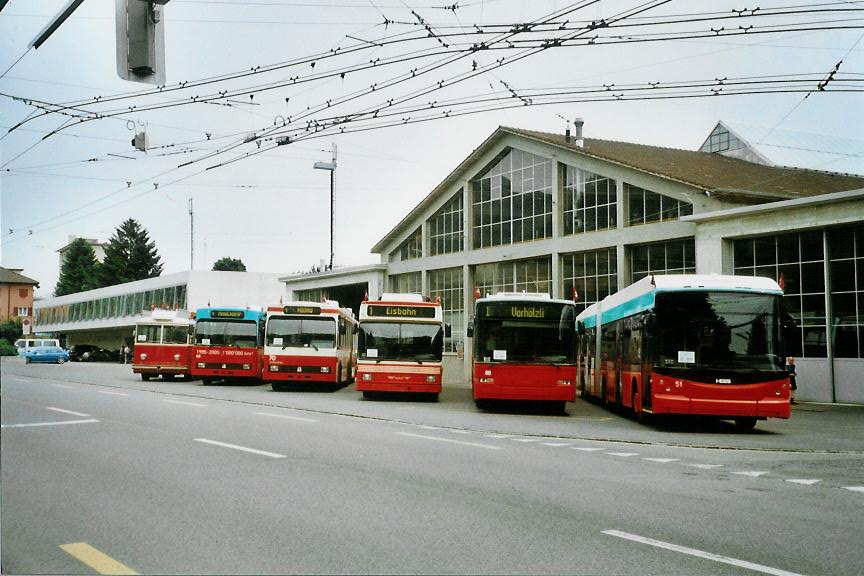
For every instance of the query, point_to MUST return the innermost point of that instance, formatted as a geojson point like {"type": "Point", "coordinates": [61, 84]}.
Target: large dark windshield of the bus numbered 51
{"type": "Point", "coordinates": [724, 330]}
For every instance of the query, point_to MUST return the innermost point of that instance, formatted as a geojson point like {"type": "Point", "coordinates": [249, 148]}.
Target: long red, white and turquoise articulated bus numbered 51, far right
{"type": "Point", "coordinates": [688, 344]}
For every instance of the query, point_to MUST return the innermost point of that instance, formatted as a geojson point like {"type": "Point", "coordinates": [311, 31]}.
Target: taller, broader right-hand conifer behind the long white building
{"type": "Point", "coordinates": [130, 255]}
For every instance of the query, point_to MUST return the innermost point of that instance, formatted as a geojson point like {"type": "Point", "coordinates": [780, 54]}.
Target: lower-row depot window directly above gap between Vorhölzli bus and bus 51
{"type": "Point", "coordinates": [593, 274]}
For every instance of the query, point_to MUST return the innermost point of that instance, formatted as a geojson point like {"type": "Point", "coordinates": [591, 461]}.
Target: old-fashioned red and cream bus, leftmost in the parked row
{"type": "Point", "coordinates": [163, 345]}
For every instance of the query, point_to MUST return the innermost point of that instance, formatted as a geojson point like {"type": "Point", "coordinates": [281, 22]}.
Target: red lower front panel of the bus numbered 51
{"type": "Point", "coordinates": [679, 396]}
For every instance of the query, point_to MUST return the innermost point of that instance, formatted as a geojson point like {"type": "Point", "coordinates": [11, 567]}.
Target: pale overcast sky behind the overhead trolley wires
{"type": "Point", "coordinates": [271, 210]}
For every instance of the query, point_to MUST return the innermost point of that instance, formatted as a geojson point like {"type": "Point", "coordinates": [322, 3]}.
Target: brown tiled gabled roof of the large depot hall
{"type": "Point", "coordinates": [730, 178]}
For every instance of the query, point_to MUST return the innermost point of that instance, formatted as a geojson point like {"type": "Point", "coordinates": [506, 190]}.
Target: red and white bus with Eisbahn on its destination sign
{"type": "Point", "coordinates": [400, 345]}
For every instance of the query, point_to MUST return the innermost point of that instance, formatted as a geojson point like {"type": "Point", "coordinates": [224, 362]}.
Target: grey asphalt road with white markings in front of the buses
{"type": "Point", "coordinates": [181, 478]}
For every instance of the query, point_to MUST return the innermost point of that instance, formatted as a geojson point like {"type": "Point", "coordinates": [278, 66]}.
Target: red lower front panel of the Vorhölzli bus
{"type": "Point", "coordinates": [524, 382]}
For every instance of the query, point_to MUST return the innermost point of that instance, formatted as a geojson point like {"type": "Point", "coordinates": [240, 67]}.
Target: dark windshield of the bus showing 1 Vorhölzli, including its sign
{"type": "Point", "coordinates": [519, 332]}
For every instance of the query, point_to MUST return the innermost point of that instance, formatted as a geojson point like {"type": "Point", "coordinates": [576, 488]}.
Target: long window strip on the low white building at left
{"type": "Point", "coordinates": [172, 297]}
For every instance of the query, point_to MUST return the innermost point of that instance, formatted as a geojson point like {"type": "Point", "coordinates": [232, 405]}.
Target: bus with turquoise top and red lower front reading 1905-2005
{"type": "Point", "coordinates": [228, 344]}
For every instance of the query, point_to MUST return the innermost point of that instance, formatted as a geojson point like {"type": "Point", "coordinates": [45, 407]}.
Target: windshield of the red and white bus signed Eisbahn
{"type": "Point", "coordinates": [401, 341]}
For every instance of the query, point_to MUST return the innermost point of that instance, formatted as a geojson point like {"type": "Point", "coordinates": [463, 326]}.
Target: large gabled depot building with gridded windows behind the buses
{"type": "Point", "coordinates": [582, 218]}
